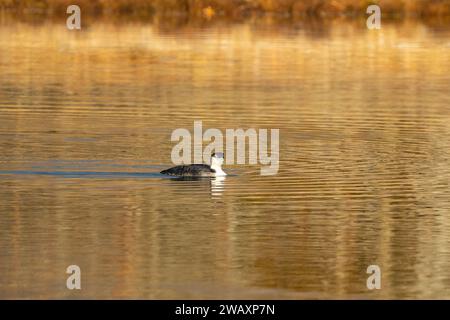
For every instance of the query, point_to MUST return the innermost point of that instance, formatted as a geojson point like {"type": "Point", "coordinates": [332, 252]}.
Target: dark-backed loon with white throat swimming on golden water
{"type": "Point", "coordinates": [199, 170]}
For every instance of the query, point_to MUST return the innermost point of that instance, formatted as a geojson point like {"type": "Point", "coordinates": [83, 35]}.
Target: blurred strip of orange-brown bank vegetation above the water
{"type": "Point", "coordinates": [235, 9]}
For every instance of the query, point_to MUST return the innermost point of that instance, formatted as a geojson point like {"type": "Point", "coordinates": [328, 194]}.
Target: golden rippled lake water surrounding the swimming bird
{"type": "Point", "coordinates": [85, 125]}
